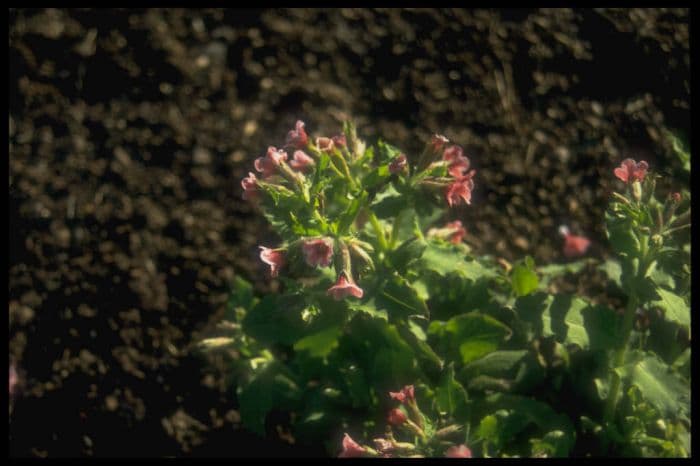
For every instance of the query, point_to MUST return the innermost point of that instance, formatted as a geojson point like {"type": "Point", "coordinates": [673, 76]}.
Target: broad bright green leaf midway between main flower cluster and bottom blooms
{"type": "Point", "coordinates": [472, 335]}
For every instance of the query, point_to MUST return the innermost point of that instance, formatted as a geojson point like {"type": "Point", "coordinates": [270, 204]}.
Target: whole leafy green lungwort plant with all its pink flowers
{"type": "Point", "coordinates": [390, 338]}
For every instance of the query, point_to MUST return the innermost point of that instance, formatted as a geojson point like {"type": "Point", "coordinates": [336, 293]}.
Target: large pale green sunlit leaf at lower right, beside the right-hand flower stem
{"type": "Point", "coordinates": [660, 386]}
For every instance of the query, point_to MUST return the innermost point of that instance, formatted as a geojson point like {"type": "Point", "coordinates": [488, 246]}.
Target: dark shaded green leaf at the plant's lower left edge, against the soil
{"type": "Point", "coordinates": [272, 387]}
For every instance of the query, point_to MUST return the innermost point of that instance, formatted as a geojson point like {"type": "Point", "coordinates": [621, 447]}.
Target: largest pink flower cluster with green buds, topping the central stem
{"type": "Point", "coordinates": [319, 193]}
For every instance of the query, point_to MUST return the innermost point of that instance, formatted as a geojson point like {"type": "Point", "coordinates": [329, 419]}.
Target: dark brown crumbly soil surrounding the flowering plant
{"type": "Point", "coordinates": [130, 130]}
